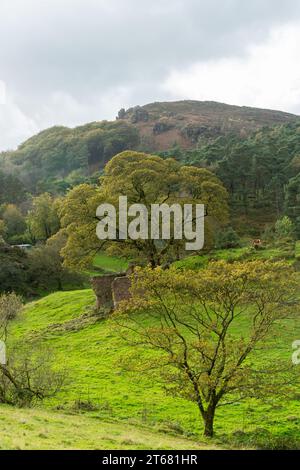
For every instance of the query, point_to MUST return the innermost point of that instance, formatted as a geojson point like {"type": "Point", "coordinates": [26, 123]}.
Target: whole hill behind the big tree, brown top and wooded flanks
{"type": "Point", "coordinates": [254, 152]}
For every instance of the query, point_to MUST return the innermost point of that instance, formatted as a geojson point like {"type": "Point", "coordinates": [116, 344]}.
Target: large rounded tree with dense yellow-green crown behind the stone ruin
{"type": "Point", "coordinates": [145, 179]}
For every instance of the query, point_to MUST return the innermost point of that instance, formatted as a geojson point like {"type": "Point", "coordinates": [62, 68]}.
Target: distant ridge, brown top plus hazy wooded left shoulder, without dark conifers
{"type": "Point", "coordinates": [60, 157]}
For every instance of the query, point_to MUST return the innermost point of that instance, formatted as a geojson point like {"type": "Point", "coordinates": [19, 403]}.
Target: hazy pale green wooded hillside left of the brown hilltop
{"type": "Point", "coordinates": [59, 157]}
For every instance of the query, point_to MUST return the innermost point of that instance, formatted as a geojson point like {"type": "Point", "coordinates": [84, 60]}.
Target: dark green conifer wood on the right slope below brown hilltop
{"type": "Point", "coordinates": [261, 172]}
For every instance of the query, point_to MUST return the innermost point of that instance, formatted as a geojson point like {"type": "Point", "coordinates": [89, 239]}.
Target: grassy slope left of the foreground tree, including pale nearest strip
{"type": "Point", "coordinates": [90, 354]}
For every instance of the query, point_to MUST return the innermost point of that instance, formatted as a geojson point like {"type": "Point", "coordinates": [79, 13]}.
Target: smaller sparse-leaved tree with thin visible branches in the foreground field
{"type": "Point", "coordinates": [207, 326]}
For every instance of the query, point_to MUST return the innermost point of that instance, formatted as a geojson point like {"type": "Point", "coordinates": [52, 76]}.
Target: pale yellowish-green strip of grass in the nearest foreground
{"type": "Point", "coordinates": [41, 429]}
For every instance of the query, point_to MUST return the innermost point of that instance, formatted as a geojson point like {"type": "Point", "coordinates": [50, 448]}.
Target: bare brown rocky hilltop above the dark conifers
{"type": "Point", "coordinates": [162, 125]}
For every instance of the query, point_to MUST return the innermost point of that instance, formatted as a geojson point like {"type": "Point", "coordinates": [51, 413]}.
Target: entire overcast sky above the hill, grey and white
{"type": "Point", "coordinates": [68, 62]}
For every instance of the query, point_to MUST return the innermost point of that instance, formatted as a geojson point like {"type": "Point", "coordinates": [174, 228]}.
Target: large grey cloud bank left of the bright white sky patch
{"type": "Point", "coordinates": [87, 48]}
